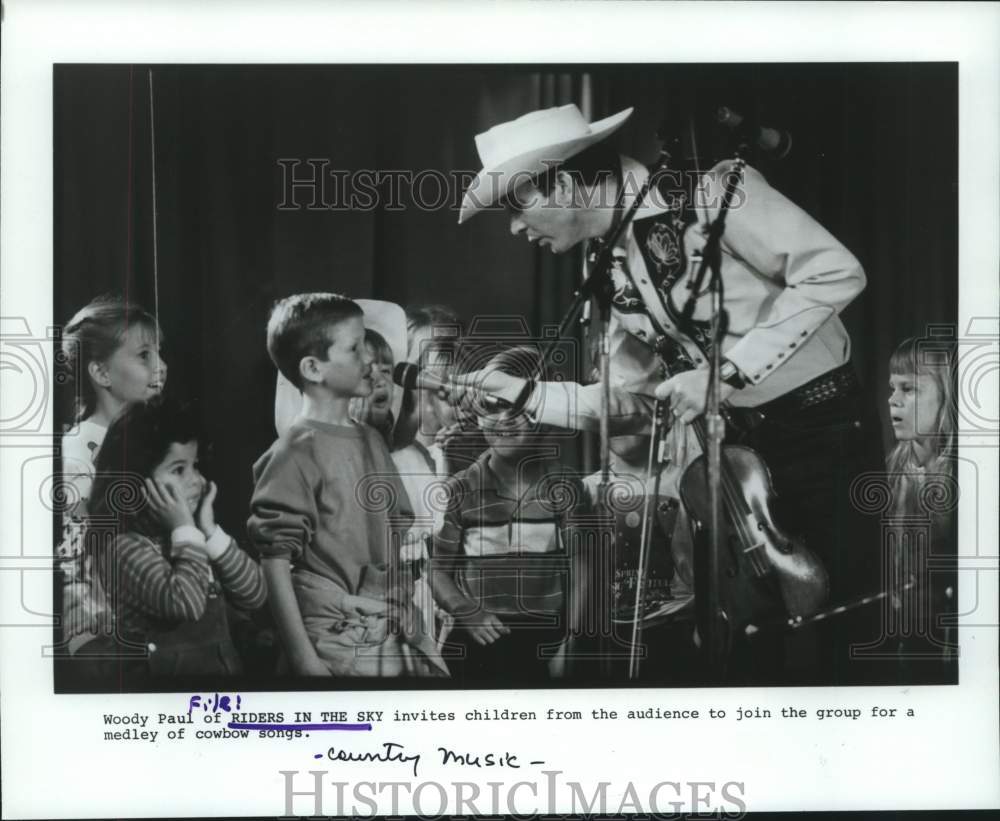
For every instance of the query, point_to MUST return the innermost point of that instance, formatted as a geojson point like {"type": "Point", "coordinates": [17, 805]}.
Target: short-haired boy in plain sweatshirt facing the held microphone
{"type": "Point", "coordinates": [318, 515]}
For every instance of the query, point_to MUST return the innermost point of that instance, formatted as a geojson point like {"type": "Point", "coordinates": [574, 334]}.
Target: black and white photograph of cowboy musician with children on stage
{"type": "Point", "coordinates": [336, 414]}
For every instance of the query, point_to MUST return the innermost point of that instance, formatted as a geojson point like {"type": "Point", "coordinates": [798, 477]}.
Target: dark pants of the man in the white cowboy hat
{"type": "Point", "coordinates": [814, 455]}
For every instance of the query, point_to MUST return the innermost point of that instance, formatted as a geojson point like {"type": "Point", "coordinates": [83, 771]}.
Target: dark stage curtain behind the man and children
{"type": "Point", "coordinates": [874, 159]}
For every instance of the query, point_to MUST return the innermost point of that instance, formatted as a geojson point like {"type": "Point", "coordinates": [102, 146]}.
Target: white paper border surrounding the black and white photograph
{"type": "Point", "coordinates": [946, 758]}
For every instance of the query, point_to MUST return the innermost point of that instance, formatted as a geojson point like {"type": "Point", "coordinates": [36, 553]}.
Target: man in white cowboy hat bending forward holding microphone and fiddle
{"type": "Point", "coordinates": [785, 370]}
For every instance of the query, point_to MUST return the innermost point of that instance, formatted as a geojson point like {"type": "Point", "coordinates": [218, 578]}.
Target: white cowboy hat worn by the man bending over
{"type": "Point", "coordinates": [516, 151]}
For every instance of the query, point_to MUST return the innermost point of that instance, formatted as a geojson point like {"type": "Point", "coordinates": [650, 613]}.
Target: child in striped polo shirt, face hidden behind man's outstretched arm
{"type": "Point", "coordinates": [508, 562]}
